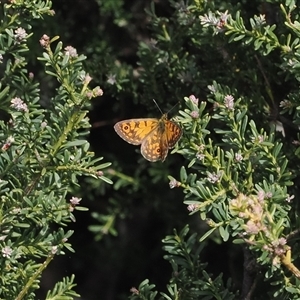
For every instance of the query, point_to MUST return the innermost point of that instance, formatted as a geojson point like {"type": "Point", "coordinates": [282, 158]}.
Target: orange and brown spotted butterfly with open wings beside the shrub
{"type": "Point", "coordinates": [156, 136]}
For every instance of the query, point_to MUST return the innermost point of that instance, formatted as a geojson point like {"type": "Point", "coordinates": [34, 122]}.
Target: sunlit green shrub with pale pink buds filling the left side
{"type": "Point", "coordinates": [43, 152]}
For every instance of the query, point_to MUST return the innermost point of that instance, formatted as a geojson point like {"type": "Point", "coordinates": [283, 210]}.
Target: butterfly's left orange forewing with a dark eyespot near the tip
{"type": "Point", "coordinates": [134, 131]}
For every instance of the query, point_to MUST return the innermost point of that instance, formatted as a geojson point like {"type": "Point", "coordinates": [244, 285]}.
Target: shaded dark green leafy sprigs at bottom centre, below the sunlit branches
{"type": "Point", "coordinates": [189, 280]}
